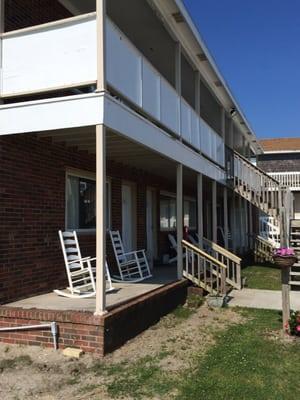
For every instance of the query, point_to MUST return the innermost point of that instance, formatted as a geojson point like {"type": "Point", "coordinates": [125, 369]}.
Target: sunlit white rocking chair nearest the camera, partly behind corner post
{"type": "Point", "coordinates": [80, 273]}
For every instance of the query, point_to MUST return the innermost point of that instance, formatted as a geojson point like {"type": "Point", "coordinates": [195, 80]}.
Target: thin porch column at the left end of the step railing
{"type": "Point", "coordinates": [179, 220]}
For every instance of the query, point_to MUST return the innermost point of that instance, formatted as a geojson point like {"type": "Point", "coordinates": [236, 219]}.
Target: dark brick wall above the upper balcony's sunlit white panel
{"type": "Point", "coordinates": [23, 13]}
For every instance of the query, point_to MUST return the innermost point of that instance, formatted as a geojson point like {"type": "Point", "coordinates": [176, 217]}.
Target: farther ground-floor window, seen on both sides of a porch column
{"type": "Point", "coordinates": [168, 213]}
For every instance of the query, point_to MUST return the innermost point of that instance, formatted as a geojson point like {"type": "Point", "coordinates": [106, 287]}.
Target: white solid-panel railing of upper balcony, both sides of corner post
{"type": "Point", "coordinates": [62, 55]}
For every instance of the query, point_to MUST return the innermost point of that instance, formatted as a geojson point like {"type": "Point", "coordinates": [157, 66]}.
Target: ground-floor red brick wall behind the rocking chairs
{"type": "Point", "coordinates": [32, 198]}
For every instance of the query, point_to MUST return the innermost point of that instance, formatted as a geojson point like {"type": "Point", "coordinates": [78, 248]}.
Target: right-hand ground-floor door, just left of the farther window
{"type": "Point", "coordinates": [151, 226]}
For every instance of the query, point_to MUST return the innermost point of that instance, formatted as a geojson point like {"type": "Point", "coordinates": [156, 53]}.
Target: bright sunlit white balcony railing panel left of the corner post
{"type": "Point", "coordinates": [58, 54]}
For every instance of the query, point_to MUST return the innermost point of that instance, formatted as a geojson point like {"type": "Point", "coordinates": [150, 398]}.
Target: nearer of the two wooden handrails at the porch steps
{"type": "Point", "coordinates": [204, 270]}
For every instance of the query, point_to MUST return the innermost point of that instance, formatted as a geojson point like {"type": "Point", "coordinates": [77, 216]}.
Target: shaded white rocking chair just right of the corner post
{"type": "Point", "coordinates": [133, 266]}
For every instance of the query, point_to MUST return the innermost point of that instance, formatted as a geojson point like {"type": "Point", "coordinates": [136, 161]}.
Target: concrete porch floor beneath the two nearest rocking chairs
{"type": "Point", "coordinates": [124, 292]}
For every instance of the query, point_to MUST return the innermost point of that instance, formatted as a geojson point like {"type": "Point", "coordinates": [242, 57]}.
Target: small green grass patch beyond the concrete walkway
{"type": "Point", "coordinates": [262, 277]}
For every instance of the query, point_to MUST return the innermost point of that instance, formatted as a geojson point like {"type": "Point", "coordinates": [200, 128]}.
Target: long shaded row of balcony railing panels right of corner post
{"type": "Point", "coordinates": [132, 75]}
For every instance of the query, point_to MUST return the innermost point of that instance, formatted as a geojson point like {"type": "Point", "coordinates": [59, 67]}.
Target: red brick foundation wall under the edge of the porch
{"type": "Point", "coordinates": [96, 334]}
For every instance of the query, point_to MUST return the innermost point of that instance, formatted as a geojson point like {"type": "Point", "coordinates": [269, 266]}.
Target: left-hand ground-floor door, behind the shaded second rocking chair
{"type": "Point", "coordinates": [127, 217]}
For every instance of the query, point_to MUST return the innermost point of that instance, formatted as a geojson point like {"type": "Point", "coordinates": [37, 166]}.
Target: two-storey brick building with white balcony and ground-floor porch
{"type": "Point", "coordinates": [131, 100]}
